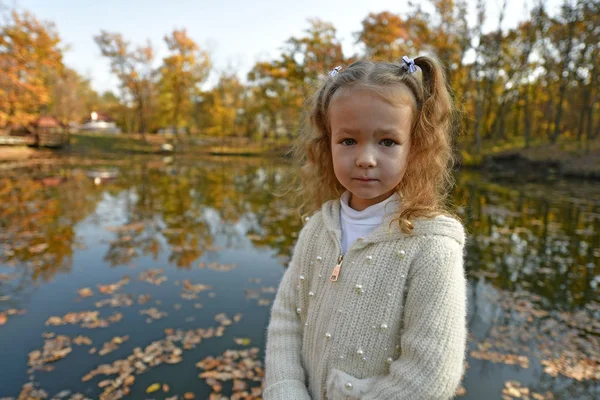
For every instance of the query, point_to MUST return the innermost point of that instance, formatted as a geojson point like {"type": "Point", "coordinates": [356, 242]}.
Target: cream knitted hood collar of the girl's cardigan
{"type": "Point", "coordinates": [440, 225]}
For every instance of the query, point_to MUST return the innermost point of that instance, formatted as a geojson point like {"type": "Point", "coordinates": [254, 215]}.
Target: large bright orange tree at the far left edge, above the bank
{"type": "Point", "coordinates": [29, 50]}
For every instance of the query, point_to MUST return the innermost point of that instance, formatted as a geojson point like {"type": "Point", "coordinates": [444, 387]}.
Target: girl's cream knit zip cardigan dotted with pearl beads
{"type": "Point", "coordinates": [393, 325]}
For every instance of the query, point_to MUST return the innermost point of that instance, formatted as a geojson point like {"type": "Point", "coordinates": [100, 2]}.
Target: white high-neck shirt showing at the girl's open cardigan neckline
{"type": "Point", "coordinates": [357, 224]}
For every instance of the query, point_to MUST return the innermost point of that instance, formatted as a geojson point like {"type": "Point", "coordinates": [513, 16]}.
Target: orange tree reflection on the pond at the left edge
{"type": "Point", "coordinates": [38, 212]}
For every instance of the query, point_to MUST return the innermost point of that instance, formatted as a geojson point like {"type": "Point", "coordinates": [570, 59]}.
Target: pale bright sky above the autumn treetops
{"type": "Point", "coordinates": [237, 33]}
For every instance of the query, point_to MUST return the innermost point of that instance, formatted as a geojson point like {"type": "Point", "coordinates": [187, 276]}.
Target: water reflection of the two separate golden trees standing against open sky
{"type": "Point", "coordinates": [160, 200]}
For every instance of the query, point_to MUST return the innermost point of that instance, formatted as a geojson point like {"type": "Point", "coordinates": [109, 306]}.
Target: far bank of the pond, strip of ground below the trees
{"type": "Point", "coordinates": [535, 163]}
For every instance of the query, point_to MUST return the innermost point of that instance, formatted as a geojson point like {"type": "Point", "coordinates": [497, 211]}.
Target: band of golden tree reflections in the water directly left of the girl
{"type": "Point", "coordinates": [176, 201]}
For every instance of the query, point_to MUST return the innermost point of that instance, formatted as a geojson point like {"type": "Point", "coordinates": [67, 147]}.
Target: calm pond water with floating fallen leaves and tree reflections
{"type": "Point", "coordinates": [116, 276]}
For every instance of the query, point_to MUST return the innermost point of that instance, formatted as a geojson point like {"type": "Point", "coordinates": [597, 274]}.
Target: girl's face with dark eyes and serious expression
{"type": "Point", "coordinates": [370, 141]}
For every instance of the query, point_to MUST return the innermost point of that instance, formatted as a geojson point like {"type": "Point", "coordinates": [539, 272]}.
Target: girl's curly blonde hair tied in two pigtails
{"type": "Point", "coordinates": [428, 177]}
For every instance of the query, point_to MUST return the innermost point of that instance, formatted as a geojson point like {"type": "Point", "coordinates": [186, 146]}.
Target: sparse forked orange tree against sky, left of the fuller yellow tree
{"type": "Point", "coordinates": [133, 68]}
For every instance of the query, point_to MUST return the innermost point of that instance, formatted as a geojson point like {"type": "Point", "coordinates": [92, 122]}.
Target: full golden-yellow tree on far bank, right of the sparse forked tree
{"type": "Point", "coordinates": [180, 76]}
